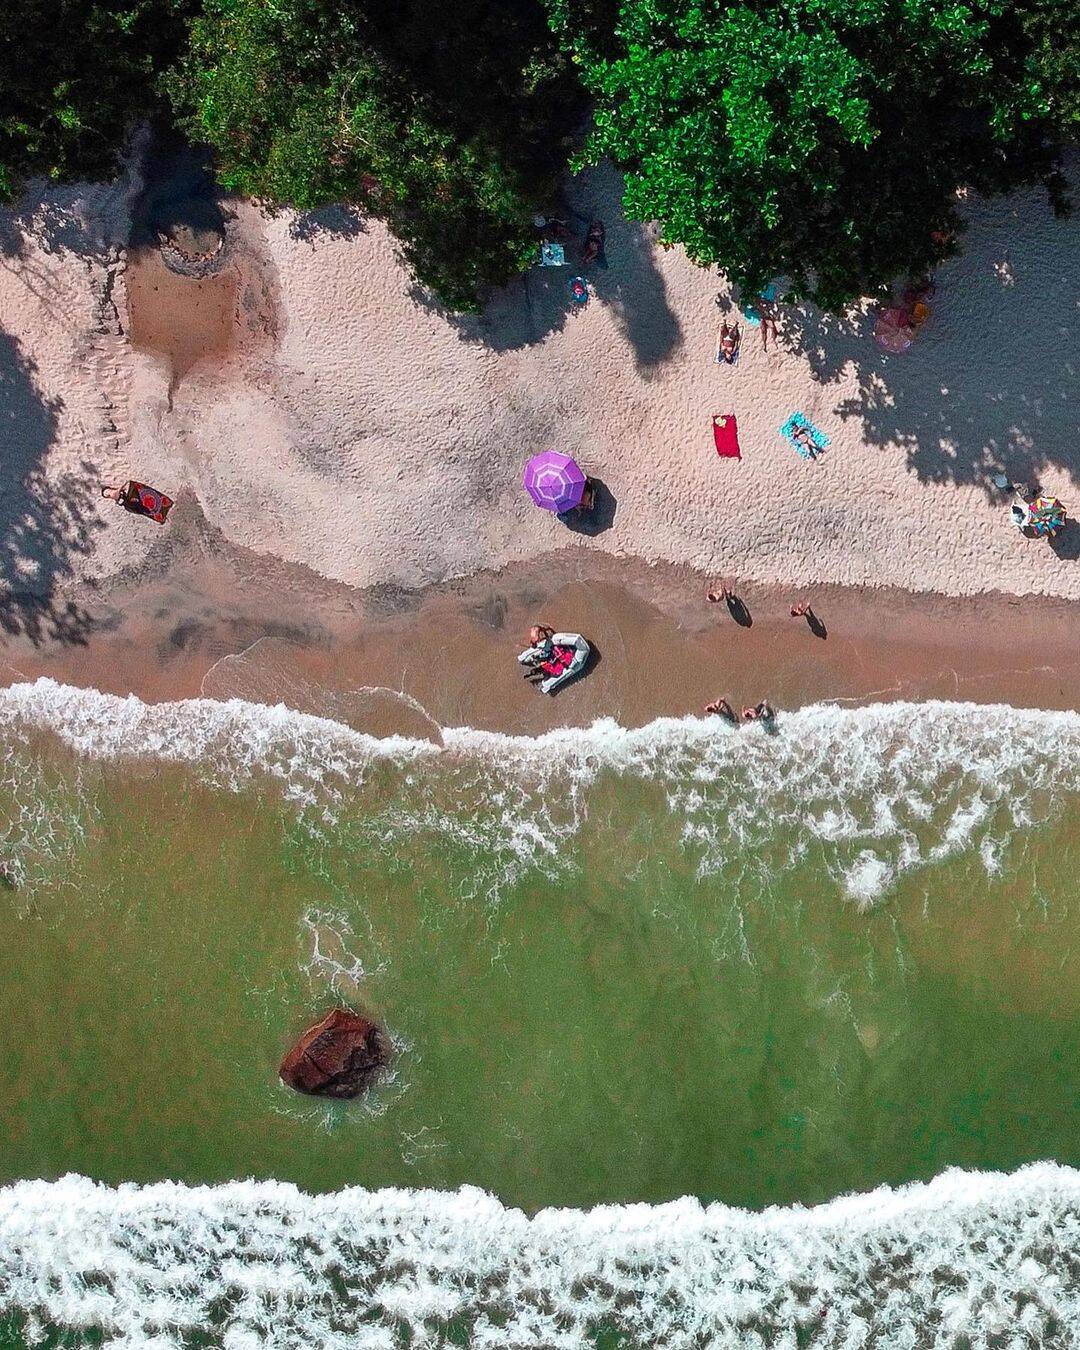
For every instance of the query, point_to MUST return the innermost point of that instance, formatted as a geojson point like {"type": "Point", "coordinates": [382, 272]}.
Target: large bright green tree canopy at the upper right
{"type": "Point", "coordinates": [817, 140]}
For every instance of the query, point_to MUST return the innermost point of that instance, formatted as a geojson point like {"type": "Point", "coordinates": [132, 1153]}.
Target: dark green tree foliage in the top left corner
{"type": "Point", "coordinates": [74, 78]}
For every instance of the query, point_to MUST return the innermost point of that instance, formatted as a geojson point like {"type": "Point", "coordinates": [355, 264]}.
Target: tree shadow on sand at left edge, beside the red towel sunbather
{"type": "Point", "coordinates": [45, 523]}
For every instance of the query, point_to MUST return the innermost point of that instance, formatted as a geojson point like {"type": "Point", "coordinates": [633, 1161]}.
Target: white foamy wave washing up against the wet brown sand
{"type": "Point", "coordinates": [880, 790]}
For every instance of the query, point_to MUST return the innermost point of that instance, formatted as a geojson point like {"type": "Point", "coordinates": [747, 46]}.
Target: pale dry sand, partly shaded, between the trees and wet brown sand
{"type": "Point", "coordinates": [338, 422]}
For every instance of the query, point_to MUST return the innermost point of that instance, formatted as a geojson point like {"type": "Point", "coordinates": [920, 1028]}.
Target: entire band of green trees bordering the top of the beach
{"type": "Point", "coordinates": [819, 140]}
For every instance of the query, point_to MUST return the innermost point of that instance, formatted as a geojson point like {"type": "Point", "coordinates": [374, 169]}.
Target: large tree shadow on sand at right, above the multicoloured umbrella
{"type": "Point", "coordinates": [992, 383]}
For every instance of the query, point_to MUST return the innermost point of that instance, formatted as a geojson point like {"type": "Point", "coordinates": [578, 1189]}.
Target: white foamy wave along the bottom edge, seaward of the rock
{"type": "Point", "coordinates": [265, 1266]}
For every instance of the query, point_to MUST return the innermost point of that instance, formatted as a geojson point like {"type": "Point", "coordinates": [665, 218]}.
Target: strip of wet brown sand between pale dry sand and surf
{"type": "Point", "coordinates": [223, 623]}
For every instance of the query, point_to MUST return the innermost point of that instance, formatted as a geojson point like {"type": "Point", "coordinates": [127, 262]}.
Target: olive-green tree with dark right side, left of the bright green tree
{"type": "Point", "coordinates": [449, 121]}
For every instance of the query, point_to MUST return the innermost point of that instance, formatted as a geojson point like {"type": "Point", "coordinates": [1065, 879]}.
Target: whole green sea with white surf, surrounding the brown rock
{"type": "Point", "coordinates": [616, 966]}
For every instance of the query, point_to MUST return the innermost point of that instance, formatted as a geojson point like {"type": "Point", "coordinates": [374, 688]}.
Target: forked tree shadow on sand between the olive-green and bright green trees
{"type": "Point", "coordinates": [627, 281]}
